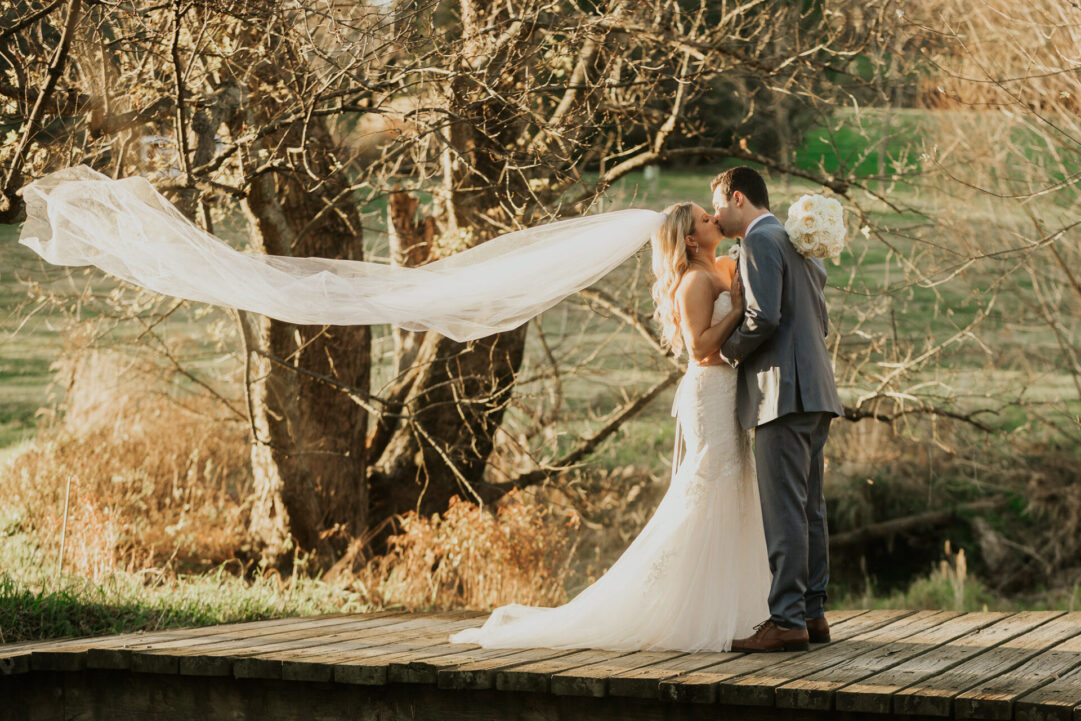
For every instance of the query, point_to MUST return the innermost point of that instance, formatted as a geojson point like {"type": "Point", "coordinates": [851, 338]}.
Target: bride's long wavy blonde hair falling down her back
{"type": "Point", "coordinates": [670, 263]}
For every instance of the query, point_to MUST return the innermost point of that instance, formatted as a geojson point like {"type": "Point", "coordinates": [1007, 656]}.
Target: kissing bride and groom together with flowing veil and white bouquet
{"type": "Point", "coordinates": [736, 556]}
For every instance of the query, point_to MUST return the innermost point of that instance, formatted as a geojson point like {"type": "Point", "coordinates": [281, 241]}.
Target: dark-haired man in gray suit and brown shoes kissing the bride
{"type": "Point", "coordinates": [788, 394]}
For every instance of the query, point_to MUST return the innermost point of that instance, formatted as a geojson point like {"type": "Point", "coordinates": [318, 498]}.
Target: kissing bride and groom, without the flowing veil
{"type": "Point", "coordinates": [736, 556]}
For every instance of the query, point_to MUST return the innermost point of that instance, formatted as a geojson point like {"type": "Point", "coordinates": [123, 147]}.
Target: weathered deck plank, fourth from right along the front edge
{"type": "Point", "coordinates": [875, 695]}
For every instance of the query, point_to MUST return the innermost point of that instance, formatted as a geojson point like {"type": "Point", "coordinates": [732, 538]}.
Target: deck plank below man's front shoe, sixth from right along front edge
{"type": "Point", "coordinates": [759, 689]}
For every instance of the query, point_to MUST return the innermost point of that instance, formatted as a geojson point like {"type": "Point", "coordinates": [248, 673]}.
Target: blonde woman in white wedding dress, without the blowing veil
{"type": "Point", "coordinates": [697, 577]}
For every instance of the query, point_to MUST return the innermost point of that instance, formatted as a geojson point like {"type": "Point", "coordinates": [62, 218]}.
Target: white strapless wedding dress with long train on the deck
{"type": "Point", "coordinates": [698, 576]}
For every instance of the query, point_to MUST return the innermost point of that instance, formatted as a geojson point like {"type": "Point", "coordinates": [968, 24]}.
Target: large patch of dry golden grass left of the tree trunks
{"type": "Point", "coordinates": [157, 480]}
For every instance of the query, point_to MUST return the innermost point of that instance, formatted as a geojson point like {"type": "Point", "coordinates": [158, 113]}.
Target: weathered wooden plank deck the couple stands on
{"type": "Point", "coordinates": [882, 665]}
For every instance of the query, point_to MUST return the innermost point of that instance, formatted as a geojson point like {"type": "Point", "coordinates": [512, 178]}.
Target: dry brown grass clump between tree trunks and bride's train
{"type": "Point", "coordinates": [473, 558]}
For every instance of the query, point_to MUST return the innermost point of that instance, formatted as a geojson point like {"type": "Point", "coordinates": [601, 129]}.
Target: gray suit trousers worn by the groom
{"type": "Point", "coordinates": [789, 453]}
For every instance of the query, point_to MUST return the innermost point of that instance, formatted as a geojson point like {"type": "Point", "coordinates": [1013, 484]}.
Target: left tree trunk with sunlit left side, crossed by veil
{"type": "Point", "coordinates": [308, 458]}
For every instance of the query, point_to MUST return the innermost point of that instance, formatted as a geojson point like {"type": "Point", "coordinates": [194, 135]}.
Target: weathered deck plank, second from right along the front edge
{"type": "Point", "coordinates": [994, 698]}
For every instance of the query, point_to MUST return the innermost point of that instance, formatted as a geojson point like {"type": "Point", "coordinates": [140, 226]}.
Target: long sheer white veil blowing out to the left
{"type": "Point", "coordinates": [78, 217]}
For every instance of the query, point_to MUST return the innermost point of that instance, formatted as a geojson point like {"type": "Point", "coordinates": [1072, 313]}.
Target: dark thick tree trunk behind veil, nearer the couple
{"type": "Point", "coordinates": [437, 433]}
